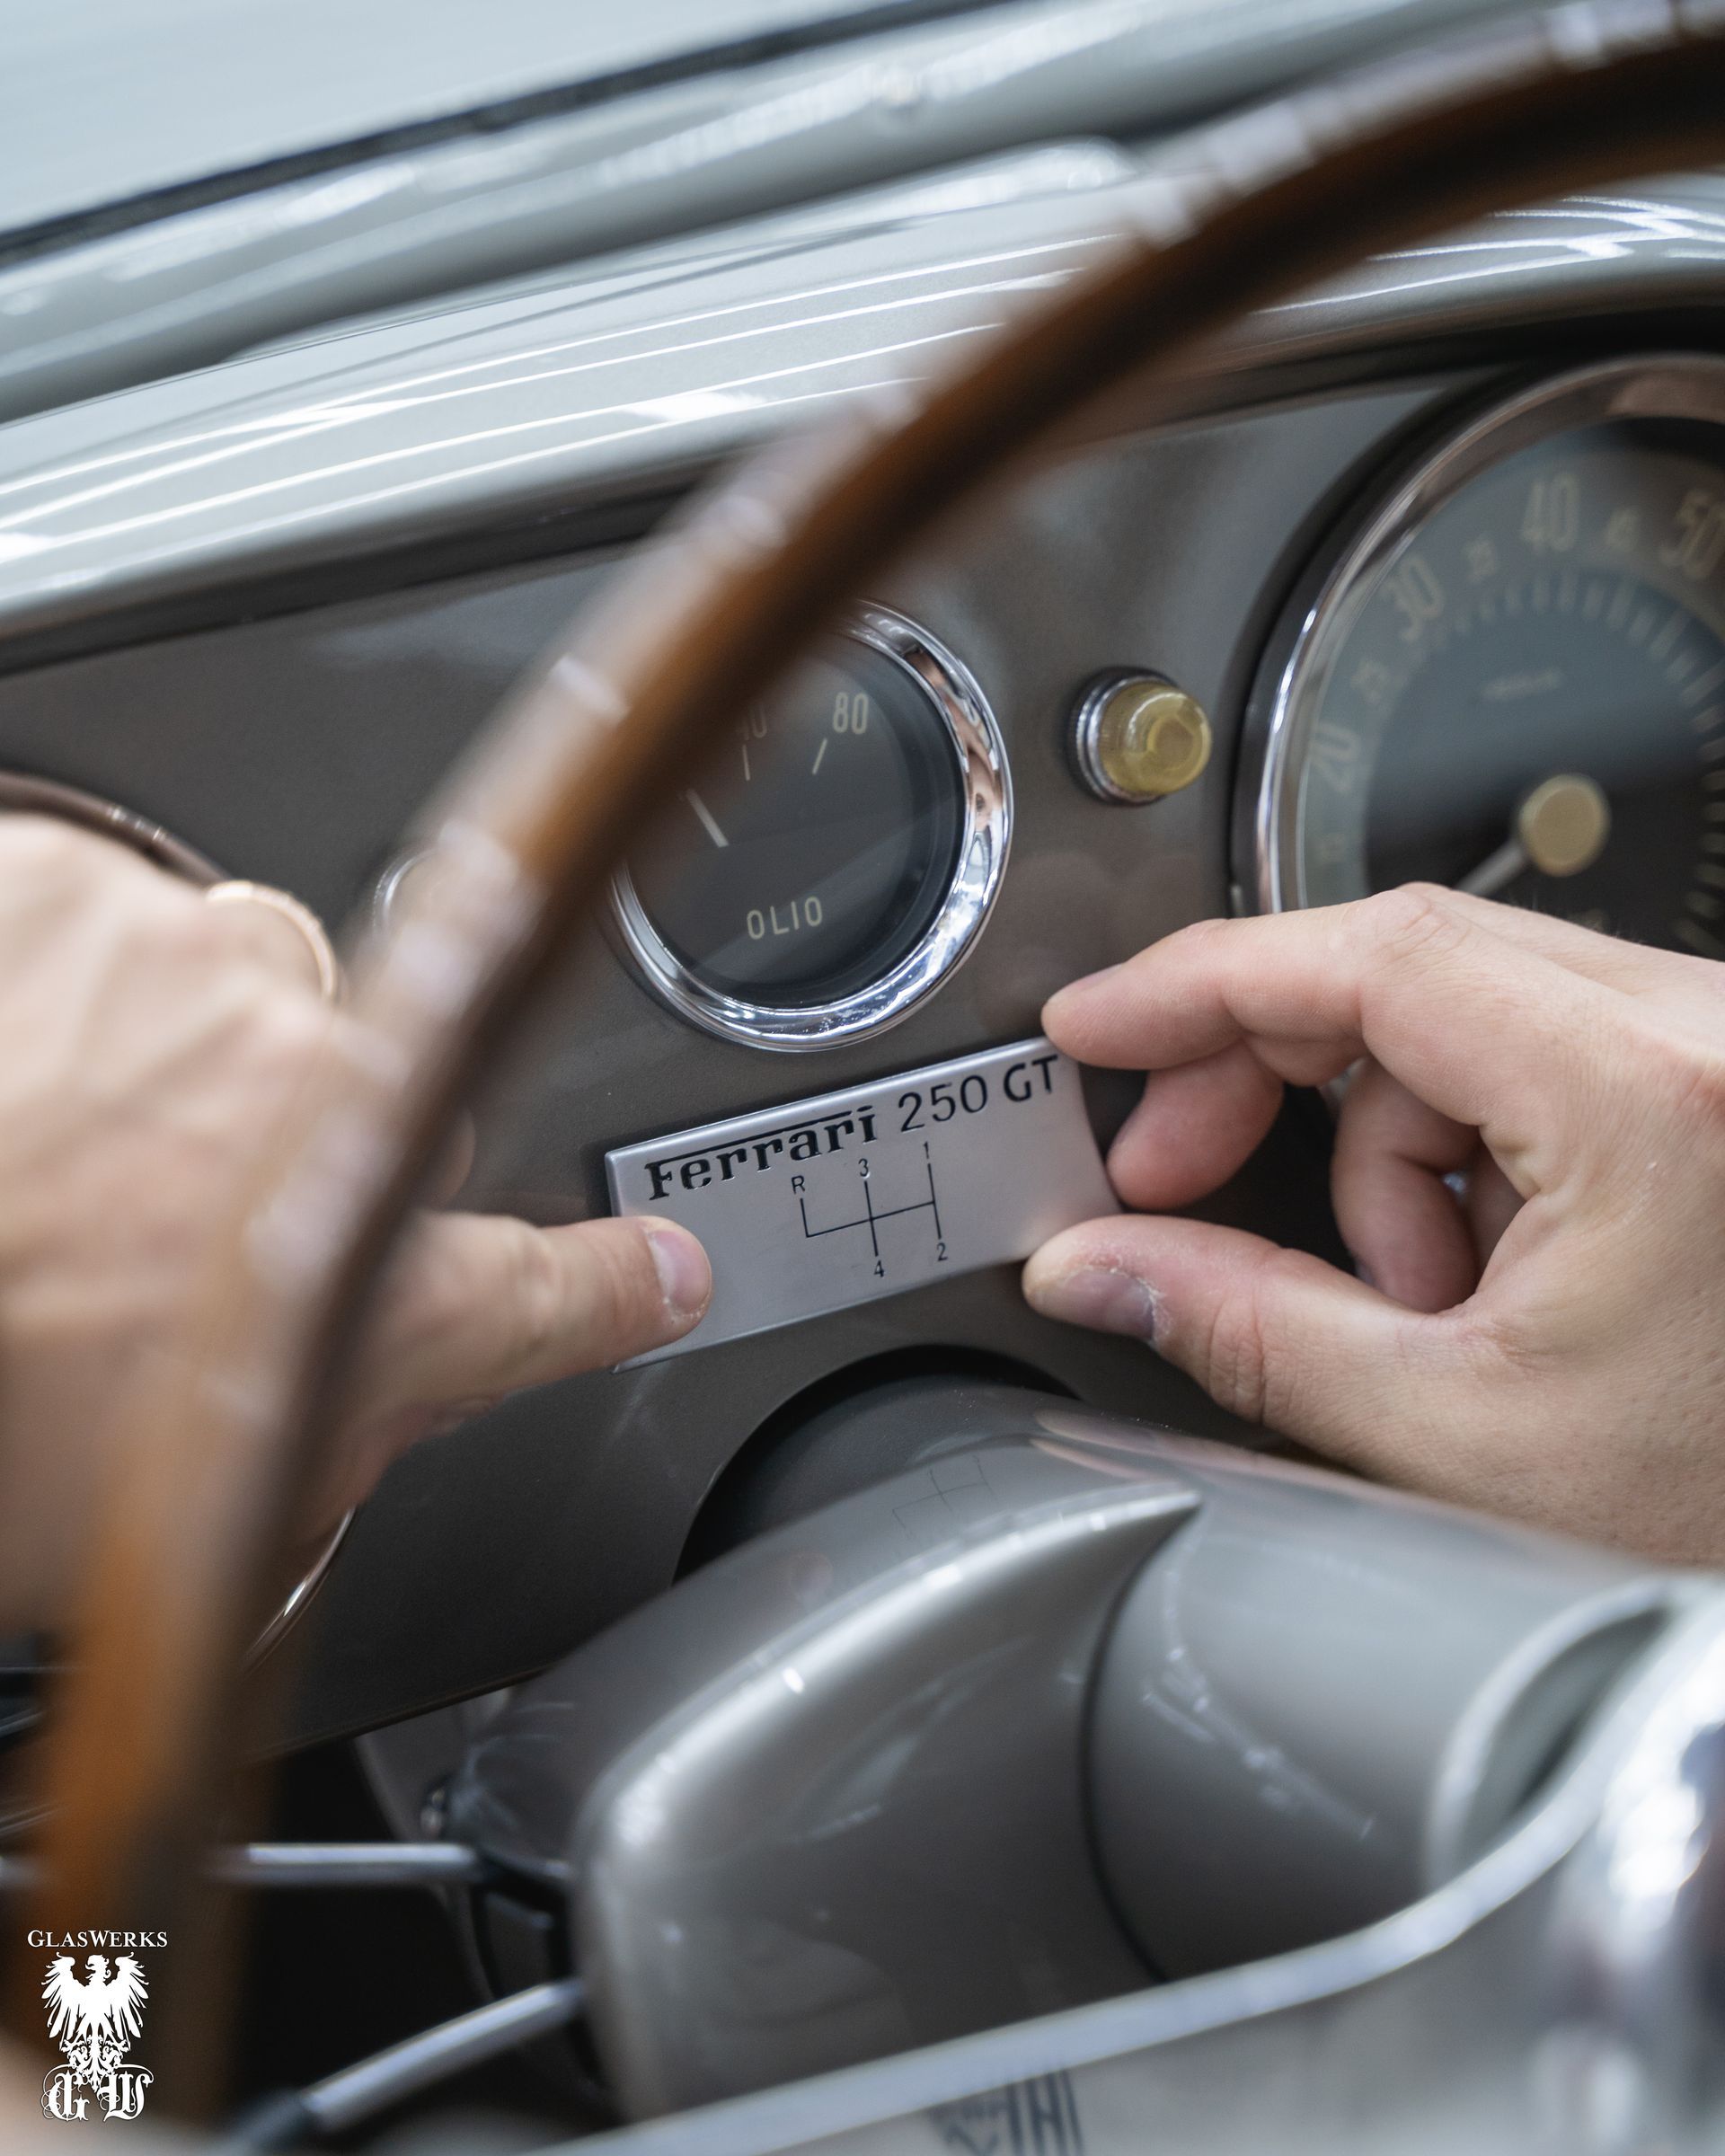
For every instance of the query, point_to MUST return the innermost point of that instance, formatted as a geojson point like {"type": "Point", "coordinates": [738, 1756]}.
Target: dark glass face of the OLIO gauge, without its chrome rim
{"type": "Point", "coordinates": [818, 848]}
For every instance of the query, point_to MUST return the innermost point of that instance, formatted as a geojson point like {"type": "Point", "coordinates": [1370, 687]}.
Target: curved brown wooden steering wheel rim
{"type": "Point", "coordinates": [148, 1732]}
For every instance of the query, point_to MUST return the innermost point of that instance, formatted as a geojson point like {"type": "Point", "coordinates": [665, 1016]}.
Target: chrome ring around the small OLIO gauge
{"type": "Point", "coordinates": [984, 777]}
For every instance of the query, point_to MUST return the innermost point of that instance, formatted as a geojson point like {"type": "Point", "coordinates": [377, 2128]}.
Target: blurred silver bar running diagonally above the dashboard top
{"type": "Point", "coordinates": [706, 150]}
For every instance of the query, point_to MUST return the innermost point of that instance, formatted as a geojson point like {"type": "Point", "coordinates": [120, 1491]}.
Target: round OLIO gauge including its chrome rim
{"type": "Point", "coordinates": [838, 857]}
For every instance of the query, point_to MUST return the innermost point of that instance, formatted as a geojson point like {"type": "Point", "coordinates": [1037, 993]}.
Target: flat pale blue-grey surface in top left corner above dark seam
{"type": "Point", "coordinates": [109, 100]}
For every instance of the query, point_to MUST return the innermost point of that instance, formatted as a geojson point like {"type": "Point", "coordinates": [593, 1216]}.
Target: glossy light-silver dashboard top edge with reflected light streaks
{"type": "Point", "coordinates": [506, 413]}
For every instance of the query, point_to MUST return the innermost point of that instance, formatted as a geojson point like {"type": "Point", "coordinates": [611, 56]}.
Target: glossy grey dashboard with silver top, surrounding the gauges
{"type": "Point", "coordinates": [271, 605]}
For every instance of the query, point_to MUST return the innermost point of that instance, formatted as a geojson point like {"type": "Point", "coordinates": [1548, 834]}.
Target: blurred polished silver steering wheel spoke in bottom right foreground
{"type": "Point", "coordinates": [1556, 2000]}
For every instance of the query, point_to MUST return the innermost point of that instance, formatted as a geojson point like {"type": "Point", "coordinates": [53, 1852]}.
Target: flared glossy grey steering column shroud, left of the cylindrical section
{"type": "Point", "coordinates": [924, 1732]}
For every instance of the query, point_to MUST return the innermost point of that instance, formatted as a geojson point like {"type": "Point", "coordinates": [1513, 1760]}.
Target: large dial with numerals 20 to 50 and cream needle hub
{"type": "Point", "coordinates": [1515, 678]}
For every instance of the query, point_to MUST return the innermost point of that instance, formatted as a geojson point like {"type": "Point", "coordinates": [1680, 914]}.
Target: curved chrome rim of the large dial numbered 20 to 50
{"type": "Point", "coordinates": [1314, 631]}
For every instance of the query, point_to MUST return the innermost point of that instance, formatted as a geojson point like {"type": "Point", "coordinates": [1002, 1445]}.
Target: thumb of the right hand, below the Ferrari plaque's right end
{"type": "Point", "coordinates": [1273, 1336]}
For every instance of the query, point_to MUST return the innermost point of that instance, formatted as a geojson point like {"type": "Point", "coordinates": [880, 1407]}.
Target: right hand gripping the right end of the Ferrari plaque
{"type": "Point", "coordinates": [1549, 1346]}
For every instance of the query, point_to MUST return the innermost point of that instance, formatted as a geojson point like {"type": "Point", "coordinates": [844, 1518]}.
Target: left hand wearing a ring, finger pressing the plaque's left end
{"type": "Point", "coordinates": [152, 1047]}
